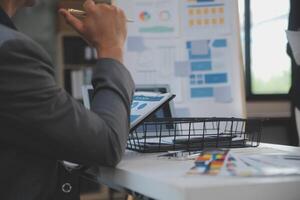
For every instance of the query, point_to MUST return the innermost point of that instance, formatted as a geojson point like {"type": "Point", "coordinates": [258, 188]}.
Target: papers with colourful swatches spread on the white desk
{"type": "Point", "coordinates": [227, 163]}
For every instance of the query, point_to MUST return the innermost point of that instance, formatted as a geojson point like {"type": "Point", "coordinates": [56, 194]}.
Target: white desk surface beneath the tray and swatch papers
{"type": "Point", "coordinates": [167, 179]}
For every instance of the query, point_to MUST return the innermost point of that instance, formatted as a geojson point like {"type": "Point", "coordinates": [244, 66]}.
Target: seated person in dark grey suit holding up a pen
{"type": "Point", "coordinates": [40, 124]}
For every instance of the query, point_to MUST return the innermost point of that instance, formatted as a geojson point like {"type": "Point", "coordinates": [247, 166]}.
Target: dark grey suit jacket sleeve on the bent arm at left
{"type": "Point", "coordinates": [42, 118]}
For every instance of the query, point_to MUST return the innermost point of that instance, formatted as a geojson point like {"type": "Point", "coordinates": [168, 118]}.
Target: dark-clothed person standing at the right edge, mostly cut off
{"type": "Point", "coordinates": [294, 25]}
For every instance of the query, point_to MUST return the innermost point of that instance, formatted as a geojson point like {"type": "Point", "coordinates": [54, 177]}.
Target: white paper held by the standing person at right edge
{"type": "Point", "coordinates": [294, 41]}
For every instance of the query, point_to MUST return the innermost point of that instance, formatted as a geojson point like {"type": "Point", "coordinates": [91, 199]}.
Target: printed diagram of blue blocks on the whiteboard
{"type": "Point", "coordinates": [206, 80]}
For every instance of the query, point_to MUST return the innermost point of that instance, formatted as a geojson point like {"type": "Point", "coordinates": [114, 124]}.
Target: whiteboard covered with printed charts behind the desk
{"type": "Point", "coordinates": [191, 45]}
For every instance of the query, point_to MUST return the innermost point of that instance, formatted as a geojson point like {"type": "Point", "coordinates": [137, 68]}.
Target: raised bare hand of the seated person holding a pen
{"type": "Point", "coordinates": [104, 27]}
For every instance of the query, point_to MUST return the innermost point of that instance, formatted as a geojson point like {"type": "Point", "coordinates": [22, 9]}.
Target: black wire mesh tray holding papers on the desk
{"type": "Point", "coordinates": [192, 134]}
